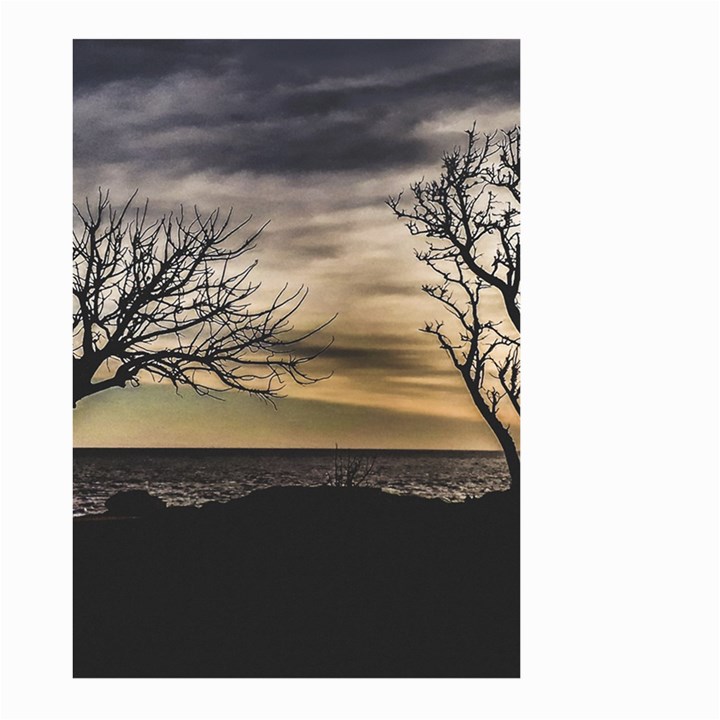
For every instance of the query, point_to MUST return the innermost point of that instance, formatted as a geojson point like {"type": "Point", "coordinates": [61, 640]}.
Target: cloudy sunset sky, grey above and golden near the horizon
{"type": "Point", "coordinates": [312, 136]}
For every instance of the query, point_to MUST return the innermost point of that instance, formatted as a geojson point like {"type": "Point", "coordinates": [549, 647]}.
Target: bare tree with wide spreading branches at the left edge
{"type": "Point", "coordinates": [173, 297]}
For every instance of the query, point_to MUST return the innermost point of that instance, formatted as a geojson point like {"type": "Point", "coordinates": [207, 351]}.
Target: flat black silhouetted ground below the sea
{"type": "Point", "coordinates": [301, 582]}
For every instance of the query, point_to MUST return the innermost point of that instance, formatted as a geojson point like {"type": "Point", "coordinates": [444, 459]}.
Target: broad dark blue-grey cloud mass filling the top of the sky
{"type": "Point", "coordinates": [279, 106]}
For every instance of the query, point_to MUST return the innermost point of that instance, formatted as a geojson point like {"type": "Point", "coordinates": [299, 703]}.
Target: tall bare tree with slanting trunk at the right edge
{"type": "Point", "coordinates": [470, 219]}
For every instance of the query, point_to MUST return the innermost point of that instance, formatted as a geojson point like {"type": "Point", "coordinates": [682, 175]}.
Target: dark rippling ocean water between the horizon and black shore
{"type": "Point", "coordinates": [197, 476]}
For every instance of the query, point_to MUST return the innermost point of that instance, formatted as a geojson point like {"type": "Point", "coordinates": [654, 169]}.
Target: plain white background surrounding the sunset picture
{"type": "Point", "coordinates": [620, 352]}
